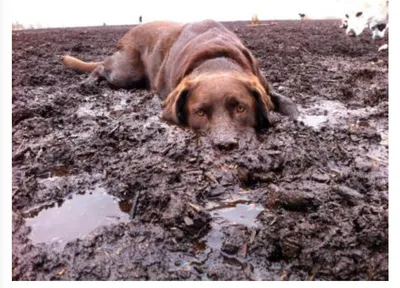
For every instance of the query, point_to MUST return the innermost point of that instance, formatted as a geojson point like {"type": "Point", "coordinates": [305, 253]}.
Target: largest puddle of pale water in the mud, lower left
{"type": "Point", "coordinates": [76, 217]}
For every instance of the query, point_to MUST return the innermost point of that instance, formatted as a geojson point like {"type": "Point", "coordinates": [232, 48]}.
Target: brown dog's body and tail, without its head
{"type": "Point", "coordinates": [161, 53]}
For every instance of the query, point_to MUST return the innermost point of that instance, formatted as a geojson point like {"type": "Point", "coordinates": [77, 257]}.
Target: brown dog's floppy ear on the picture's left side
{"type": "Point", "coordinates": [174, 105]}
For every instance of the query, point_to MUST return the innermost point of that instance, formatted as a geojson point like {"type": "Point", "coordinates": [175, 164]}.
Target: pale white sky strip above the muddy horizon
{"type": "Point", "coordinates": [53, 13]}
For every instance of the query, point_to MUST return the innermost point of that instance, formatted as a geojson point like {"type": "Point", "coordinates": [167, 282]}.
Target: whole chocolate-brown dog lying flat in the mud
{"type": "Point", "coordinates": [209, 81]}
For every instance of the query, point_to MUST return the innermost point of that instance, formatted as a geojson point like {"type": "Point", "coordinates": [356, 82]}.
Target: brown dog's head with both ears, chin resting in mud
{"type": "Point", "coordinates": [223, 104]}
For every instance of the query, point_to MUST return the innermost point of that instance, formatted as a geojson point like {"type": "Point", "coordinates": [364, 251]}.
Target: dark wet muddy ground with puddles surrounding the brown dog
{"type": "Point", "coordinates": [306, 200]}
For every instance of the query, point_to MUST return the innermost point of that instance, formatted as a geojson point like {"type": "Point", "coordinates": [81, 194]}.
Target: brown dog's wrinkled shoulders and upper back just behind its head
{"type": "Point", "coordinates": [197, 43]}
